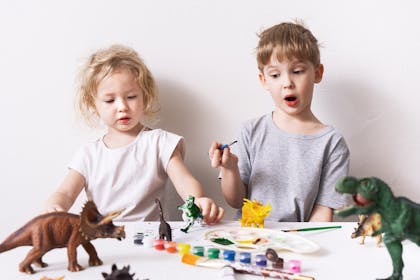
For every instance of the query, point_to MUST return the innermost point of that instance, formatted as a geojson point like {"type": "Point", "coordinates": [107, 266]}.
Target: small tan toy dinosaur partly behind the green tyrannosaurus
{"type": "Point", "coordinates": [366, 226]}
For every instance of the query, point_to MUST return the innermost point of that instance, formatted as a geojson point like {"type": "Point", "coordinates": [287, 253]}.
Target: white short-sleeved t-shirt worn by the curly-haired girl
{"type": "Point", "coordinates": [129, 177]}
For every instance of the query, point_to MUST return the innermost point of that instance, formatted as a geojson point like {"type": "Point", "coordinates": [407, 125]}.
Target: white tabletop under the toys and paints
{"type": "Point", "coordinates": [340, 257]}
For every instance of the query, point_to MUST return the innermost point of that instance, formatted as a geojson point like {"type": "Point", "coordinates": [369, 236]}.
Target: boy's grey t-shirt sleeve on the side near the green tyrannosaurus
{"type": "Point", "coordinates": [335, 168]}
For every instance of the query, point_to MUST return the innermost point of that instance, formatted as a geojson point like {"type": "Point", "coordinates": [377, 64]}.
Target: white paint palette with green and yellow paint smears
{"type": "Point", "coordinates": [259, 239]}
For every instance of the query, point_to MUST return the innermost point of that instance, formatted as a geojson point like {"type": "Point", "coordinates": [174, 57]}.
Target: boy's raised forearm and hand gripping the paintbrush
{"type": "Point", "coordinates": [233, 188]}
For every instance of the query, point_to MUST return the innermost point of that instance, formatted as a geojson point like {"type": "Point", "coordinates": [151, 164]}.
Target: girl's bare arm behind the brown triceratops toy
{"type": "Point", "coordinates": [63, 198]}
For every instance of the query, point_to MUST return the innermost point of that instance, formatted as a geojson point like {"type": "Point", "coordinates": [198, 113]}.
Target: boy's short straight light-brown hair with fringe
{"type": "Point", "coordinates": [287, 40]}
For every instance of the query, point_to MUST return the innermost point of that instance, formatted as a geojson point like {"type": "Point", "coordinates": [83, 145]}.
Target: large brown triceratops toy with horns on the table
{"type": "Point", "coordinates": [60, 229]}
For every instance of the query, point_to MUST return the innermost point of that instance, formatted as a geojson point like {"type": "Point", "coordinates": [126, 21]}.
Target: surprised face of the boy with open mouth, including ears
{"type": "Point", "coordinates": [291, 84]}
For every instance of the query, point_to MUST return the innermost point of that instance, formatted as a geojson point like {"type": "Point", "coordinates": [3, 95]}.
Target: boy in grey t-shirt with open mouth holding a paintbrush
{"type": "Point", "coordinates": [287, 158]}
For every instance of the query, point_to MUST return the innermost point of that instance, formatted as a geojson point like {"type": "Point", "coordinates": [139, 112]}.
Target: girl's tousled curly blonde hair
{"type": "Point", "coordinates": [105, 62]}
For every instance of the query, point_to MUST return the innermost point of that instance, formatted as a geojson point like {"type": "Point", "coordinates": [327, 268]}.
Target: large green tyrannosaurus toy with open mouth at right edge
{"type": "Point", "coordinates": [400, 217]}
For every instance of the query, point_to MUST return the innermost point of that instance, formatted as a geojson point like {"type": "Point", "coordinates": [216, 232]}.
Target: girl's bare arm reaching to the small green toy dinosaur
{"type": "Point", "coordinates": [185, 184]}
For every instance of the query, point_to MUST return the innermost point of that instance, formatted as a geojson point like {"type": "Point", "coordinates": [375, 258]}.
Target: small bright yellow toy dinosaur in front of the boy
{"type": "Point", "coordinates": [253, 213]}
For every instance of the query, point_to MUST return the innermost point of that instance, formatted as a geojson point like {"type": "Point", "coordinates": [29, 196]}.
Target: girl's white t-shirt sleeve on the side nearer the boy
{"type": "Point", "coordinates": [167, 143]}
